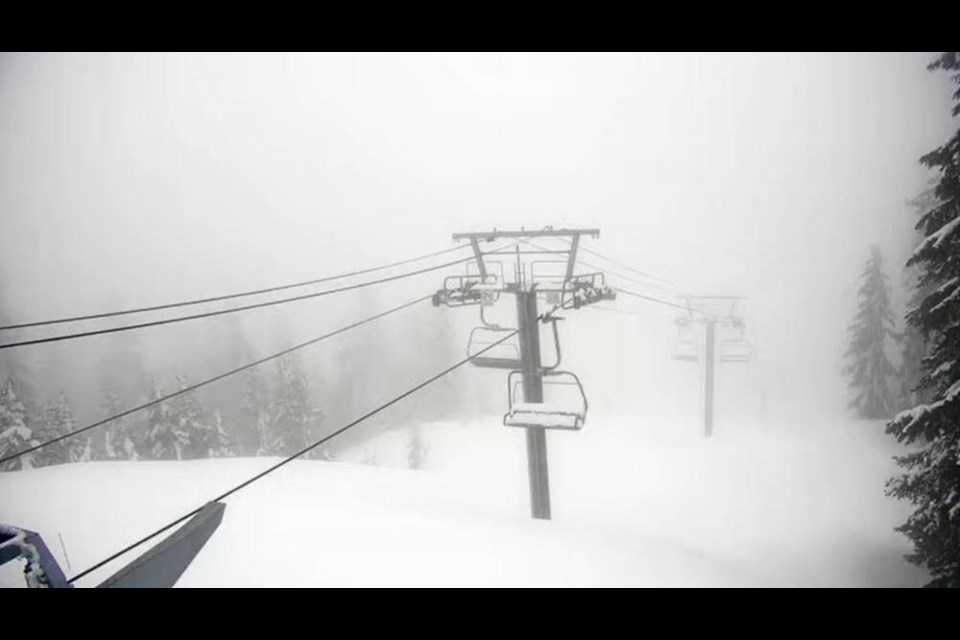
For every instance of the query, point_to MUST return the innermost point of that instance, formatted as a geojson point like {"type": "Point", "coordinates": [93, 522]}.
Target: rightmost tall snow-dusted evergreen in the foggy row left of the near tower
{"type": "Point", "coordinates": [294, 420]}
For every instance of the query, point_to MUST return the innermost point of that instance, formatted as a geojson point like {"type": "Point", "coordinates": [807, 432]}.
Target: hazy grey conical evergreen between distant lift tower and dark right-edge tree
{"type": "Point", "coordinates": [872, 335]}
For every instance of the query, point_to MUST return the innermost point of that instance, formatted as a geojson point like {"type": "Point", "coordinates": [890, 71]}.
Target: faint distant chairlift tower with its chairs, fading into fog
{"type": "Point", "coordinates": [711, 312]}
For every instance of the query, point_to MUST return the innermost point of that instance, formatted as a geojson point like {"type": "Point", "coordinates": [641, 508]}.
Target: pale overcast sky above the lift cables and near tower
{"type": "Point", "coordinates": [129, 179]}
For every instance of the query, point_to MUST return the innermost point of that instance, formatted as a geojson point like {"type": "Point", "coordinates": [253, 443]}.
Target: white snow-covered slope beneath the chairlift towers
{"type": "Point", "coordinates": [635, 503]}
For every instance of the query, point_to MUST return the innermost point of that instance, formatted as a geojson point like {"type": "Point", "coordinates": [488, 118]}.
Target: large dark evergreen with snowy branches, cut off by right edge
{"type": "Point", "coordinates": [931, 477]}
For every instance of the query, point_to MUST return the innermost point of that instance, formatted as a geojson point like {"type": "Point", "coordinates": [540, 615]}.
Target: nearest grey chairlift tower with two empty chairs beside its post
{"type": "Point", "coordinates": [552, 278]}
